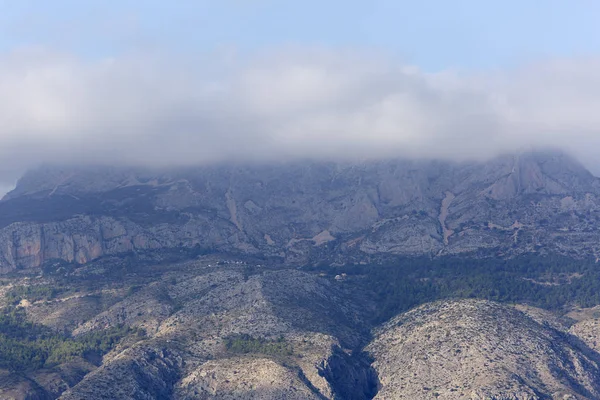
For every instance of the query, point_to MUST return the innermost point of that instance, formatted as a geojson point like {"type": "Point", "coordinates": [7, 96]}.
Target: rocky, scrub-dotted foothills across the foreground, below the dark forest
{"type": "Point", "coordinates": [217, 328]}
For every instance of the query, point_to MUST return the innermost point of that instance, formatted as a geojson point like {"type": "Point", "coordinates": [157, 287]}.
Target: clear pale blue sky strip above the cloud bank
{"type": "Point", "coordinates": [432, 34]}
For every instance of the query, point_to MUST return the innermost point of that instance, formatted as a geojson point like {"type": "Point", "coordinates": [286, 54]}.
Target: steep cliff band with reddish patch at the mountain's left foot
{"type": "Point", "coordinates": [83, 238]}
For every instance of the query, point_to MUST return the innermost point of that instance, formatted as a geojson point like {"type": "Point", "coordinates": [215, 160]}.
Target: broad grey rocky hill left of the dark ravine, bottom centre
{"type": "Point", "coordinates": [188, 315]}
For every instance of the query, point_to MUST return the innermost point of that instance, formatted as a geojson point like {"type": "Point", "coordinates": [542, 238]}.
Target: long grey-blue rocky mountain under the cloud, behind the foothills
{"type": "Point", "coordinates": [305, 212]}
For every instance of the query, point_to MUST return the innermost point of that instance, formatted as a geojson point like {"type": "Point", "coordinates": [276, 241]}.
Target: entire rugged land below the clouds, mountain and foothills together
{"type": "Point", "coordinates": [307, 280]}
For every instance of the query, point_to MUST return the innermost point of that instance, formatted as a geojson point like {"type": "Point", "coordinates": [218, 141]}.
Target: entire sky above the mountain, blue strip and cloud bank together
{"type": "Point", "coordinates": [156, 82]}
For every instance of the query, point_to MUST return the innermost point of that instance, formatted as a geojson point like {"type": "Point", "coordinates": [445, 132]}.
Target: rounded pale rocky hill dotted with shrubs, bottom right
{"type": "Point", "coordinates": [476, 349]}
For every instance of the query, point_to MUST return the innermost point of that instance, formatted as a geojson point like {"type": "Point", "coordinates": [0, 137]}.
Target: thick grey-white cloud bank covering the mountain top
{"type": "Point", "coordinates": [159, 110]}
